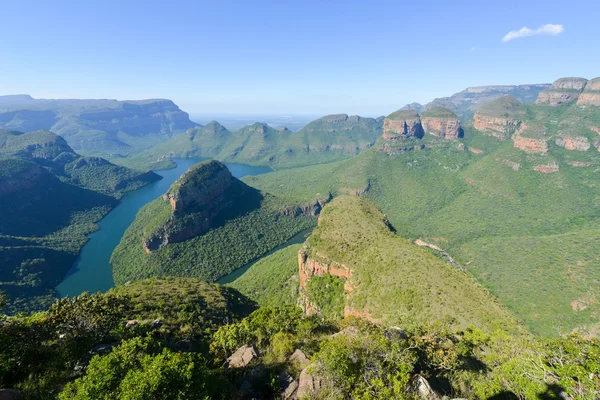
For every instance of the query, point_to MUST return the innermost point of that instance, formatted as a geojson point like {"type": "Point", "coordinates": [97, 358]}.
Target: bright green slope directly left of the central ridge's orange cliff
{"type": "Point", "coordinates": [273, 280]}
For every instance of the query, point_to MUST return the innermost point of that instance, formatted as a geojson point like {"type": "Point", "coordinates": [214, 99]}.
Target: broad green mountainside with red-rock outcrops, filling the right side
{"type": "Point", "coordinates": [514, 201]}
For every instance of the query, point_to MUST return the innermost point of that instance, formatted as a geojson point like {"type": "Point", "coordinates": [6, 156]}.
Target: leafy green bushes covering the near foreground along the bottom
{"type": "Point", "coordinates": [88, 347]}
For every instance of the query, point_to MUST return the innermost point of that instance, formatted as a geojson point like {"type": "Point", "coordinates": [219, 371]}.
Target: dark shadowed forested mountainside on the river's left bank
{"type": "Point", "coordinates": [50, 198]}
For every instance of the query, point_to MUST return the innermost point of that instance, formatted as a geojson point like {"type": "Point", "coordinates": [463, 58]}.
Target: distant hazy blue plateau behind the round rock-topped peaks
{"type": "Point", "coordinates": [466, 102]}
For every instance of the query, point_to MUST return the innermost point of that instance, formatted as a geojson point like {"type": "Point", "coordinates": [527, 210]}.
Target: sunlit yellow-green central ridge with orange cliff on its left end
{"type": "Point", "coordinates": [354, 264]}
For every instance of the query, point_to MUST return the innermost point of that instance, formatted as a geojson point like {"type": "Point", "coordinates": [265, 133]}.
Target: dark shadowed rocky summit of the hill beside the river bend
{"type": "Point", "coordinates": [196, 199]}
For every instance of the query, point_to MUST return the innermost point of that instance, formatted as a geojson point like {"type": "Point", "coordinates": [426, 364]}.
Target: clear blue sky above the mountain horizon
{"type": "Point", "coordinates": [294, 57]}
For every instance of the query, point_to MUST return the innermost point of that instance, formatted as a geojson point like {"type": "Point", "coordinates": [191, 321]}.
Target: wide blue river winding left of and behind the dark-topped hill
{"type": "Point", "coordinates": [92, 271]}
